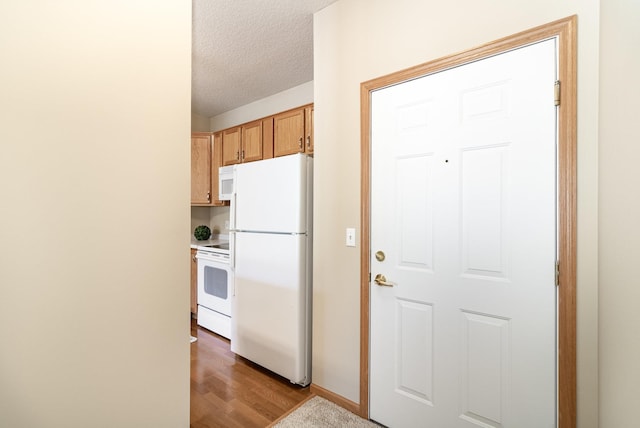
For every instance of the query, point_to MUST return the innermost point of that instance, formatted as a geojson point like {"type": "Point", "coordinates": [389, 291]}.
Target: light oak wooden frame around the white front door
{"type": "Point", "coordinates": [565, 30]}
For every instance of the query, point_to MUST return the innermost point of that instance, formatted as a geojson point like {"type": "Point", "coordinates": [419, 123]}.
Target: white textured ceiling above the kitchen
{"type": "Point", "coordinates": [245, 50]}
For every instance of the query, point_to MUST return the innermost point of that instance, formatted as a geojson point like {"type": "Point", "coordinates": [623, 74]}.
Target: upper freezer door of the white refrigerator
{"type": "Point", "coordinates": [271, 195]}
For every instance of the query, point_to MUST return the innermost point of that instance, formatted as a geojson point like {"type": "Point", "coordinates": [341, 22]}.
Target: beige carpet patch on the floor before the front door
{"type": "Point", "coordinates": [321, 413]}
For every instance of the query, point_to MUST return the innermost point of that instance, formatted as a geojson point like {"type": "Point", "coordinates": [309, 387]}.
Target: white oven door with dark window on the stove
{"type": "Point", "coordinates": [215, 282]}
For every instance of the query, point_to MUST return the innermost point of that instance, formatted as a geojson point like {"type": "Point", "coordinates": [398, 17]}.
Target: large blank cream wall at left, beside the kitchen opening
{"type": "Point", "coordinates": [94, 178]}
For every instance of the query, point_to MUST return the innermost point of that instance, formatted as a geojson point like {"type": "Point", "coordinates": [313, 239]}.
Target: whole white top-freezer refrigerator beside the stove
{"type": "Point", "coordinates": [270, 237]}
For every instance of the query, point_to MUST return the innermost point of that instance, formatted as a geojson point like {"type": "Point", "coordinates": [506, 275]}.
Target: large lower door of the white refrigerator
{"type": "Point", "coordinates": [271, 306]}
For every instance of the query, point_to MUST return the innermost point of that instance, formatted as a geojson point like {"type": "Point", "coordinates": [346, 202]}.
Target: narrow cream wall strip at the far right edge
{"type": "Point", "coordinates": [619, 213]}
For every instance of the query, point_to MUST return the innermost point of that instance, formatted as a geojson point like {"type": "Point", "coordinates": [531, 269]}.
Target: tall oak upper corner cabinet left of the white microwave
{"type": "Point", "coordinates": [206, 158]}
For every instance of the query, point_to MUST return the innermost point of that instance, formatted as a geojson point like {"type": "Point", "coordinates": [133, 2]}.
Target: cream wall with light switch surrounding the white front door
{"type": "Point", "coordinates": [357, 40]}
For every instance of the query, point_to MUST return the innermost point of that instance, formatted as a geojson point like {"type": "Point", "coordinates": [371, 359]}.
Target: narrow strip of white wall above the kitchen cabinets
{"type": "Point", "coordinates": [282, 101]}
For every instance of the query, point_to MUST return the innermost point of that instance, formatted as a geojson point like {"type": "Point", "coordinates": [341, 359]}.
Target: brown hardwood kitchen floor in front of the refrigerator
{"type": "Point", "coordinates": [230, 391]}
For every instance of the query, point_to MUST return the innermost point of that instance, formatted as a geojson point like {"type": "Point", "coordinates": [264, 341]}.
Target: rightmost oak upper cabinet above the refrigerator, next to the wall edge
{"type": "Point", "coordinates": [293, 131]}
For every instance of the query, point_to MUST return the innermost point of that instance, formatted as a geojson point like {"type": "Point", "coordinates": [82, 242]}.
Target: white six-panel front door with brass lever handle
{"type": "Point", "coordinates": [463, 216]}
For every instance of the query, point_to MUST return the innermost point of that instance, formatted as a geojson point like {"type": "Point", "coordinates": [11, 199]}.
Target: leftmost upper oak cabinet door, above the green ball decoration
{"type": "Point", "coordinates": [201, 169]}
